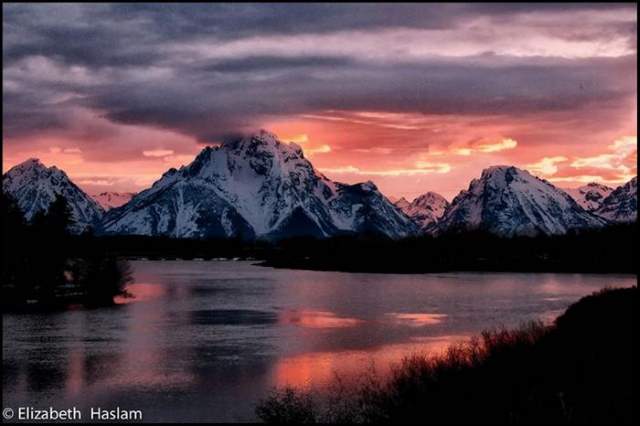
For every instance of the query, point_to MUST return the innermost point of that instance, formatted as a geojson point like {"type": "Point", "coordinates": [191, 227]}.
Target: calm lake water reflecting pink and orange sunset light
{"type": "Point", "coordinates": [205, 340]}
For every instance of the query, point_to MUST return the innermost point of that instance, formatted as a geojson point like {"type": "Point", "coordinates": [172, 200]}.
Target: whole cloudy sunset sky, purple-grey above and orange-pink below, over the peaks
{"type": "Point", "coordinates": [415, 97]}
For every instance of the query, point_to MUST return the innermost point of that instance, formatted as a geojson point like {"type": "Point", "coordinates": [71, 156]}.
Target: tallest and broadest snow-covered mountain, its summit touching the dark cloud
{"type": "Point", "coordinates": [251, 187]}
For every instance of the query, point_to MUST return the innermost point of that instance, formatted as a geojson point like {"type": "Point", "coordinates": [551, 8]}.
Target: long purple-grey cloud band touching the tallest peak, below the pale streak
{"type": "Point", "coordinates": [209, 108]}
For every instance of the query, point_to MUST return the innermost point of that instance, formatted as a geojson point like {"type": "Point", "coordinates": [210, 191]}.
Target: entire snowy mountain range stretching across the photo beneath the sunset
{"type": "Point", "coordinates": [259, 187]}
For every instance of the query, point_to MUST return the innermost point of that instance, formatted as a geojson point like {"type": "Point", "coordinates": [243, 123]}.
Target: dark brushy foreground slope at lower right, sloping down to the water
{"type": "Point", "coordinates": [578, 370]}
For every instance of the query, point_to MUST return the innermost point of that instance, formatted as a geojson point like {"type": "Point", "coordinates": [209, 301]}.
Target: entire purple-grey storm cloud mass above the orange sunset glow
{"type": "Point", "coordinates": [133, 63]}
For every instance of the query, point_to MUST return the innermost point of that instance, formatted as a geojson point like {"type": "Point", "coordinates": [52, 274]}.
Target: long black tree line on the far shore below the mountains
{"type": "Point", "coordinates": [608, 250]}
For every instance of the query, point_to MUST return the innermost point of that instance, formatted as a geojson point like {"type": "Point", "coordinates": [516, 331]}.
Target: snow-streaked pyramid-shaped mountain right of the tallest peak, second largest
{"type": "Point", "coordinates": [508, 201]}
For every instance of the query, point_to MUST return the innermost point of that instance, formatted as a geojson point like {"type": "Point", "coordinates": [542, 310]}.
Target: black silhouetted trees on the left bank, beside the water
{"type": "Point", "coordinates": [44, 266]}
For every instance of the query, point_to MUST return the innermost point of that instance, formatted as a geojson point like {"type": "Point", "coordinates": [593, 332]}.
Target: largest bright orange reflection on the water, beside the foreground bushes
{"type": "Point", "coordinates": [319, 369]}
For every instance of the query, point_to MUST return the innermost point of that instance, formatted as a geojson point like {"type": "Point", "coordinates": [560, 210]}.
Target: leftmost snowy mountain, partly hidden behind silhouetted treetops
{"type": "Point", "coordinates": [35, 186]}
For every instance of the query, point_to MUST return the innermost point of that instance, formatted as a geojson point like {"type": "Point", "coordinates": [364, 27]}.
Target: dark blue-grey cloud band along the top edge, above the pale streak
{"type": "Point", "coordinates": [122, 34]}
